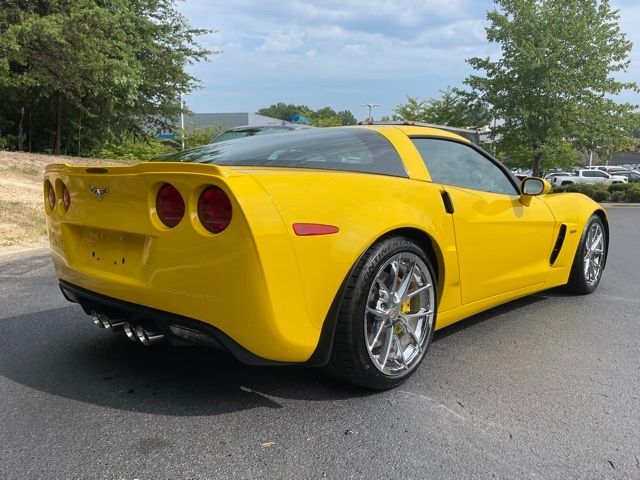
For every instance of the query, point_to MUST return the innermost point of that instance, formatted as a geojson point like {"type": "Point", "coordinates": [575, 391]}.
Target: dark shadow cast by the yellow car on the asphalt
{"type": "Point", "coordinates": [61, 352]}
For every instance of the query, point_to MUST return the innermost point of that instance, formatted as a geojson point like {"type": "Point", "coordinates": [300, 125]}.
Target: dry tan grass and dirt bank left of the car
{"type": "Point", "coordinates": [21, 196]}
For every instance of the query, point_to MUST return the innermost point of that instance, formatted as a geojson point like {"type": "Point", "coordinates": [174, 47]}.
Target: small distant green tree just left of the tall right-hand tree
{"type": "Point", "coordinates": [451, 109]}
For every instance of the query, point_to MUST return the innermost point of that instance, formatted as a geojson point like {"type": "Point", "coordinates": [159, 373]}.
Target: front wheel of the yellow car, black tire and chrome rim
{"type": "Point", "coordinates": [590, 258]}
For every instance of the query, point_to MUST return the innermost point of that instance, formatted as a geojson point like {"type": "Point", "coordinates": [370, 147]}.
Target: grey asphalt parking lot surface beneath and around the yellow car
{"type": "Point", "coordinates": [545, 387]}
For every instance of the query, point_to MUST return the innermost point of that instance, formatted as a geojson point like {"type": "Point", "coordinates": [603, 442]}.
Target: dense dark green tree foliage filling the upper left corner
{"type": "Point", "coordinates": [75, 74]}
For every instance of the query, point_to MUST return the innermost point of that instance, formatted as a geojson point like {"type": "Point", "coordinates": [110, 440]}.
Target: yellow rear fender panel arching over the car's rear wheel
{"type": "Point", "coordinates": [354, 204]}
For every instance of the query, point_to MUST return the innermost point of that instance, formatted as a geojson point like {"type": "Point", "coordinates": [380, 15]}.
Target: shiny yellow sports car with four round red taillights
{"type": "Point", "coordinates": [339, 247]}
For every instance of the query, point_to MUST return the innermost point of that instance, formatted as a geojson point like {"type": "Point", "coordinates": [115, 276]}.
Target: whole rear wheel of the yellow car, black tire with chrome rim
{"type": "Point", "coordinates": [386, 317]}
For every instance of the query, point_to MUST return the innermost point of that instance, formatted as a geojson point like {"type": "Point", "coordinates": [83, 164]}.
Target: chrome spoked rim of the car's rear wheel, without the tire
{"type": "Point", "coordinates": [399, 314]}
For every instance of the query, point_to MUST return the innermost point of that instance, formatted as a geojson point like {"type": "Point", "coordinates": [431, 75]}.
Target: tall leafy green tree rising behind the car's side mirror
{"type": "Point", "coordinates": [554, 82]}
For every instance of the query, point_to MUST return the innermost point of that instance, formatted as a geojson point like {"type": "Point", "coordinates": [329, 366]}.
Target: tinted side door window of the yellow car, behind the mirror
{"type": "Point", "coordinates": [452, 163]}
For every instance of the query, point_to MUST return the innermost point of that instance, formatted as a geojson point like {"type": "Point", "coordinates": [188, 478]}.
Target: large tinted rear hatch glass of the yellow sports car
{"type": "Point", "coordinates": [346, 149]}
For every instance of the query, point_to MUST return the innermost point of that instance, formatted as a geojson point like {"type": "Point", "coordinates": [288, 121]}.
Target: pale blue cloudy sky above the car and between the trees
{"type": "Point", "coordinates": [343, 53]}
